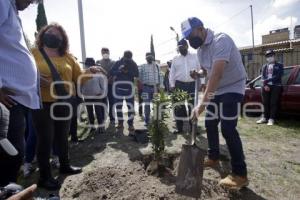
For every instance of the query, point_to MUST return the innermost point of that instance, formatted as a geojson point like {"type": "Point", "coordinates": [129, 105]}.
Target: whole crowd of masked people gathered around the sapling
{"type": "Point", "coordinates": [41, 88]}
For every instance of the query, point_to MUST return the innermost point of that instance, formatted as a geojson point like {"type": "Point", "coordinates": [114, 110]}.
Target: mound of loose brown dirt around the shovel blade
{"type": "Point", "coordinates": [129, 180]}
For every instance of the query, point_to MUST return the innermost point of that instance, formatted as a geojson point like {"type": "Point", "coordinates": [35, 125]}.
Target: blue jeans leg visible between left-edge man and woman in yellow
{"type": "Point", "coordinates": [30, 139]}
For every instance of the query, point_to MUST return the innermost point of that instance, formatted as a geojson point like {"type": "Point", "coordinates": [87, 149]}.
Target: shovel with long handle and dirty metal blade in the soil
{"type": "Point", "coordinates": [190, 169]}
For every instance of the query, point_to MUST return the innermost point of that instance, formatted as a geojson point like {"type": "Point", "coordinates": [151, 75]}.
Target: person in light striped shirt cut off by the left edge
{"type": "Point", "coordinates": [19, 82]}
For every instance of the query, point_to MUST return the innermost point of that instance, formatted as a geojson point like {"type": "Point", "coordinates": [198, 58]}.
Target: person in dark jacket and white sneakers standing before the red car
{"type": "Point", "coordinates": [271, 90]}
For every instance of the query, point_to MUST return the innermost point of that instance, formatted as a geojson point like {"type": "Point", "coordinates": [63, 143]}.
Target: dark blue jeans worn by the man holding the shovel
{"type": "Point", "coordinates": [227, 113]}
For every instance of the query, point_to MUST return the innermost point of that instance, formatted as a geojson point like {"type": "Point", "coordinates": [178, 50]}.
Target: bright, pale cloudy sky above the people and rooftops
{"type": "Point", "coordinates": [128, 24]}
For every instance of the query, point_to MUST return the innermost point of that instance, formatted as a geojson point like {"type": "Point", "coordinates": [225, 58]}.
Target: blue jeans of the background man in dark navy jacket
{"type": "Point", "coordinates": [121, 95]}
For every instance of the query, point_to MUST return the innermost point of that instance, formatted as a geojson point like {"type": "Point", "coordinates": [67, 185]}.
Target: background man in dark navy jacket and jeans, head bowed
{"type": "Point", "coordinates": [124, 71]}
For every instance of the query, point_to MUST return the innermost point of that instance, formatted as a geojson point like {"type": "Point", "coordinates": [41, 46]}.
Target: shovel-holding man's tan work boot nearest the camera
{"type": "Point", "coordinates": [234, 182]}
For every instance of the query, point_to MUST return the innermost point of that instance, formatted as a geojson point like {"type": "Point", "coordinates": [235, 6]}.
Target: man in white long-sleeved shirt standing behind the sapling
{"type": "Point", "coordinates": [180, 78]}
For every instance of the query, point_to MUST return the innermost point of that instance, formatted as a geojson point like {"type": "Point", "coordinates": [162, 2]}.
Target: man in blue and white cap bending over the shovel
{"type": "Point", "coordinates": [220, 57]}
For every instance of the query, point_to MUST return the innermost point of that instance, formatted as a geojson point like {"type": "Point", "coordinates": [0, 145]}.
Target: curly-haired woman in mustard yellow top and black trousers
{"type": "Point", "coordinates": [53, 40]}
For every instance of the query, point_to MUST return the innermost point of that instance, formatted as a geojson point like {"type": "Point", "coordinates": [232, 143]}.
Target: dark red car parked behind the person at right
{"type": "Point", "coordinates": [290, 96]}
